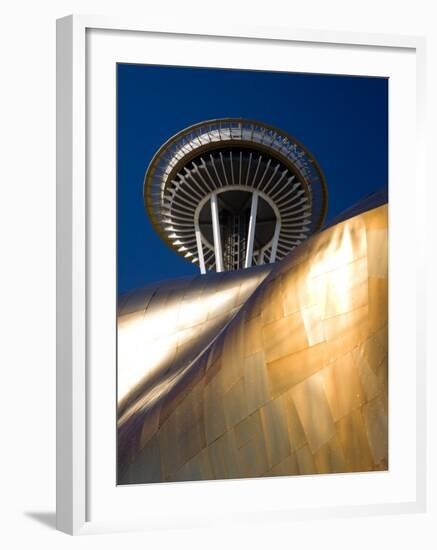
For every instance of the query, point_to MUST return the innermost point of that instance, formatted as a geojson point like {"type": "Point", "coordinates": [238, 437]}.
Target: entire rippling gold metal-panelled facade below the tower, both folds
{"type": "Point", "coordinates": [295, 381]}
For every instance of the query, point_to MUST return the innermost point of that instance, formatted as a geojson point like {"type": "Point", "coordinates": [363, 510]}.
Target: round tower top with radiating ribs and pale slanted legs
{"type": "Point", "coordinates": [232, 193]}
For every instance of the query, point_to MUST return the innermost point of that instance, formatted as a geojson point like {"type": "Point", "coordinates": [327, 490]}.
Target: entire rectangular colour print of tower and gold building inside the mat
{"type": "Point", "coordinates": [252, 269]}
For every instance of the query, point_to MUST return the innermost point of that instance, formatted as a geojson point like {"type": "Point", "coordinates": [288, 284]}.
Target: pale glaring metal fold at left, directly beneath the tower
{"type": "Point", "coordinates": [162, 328]}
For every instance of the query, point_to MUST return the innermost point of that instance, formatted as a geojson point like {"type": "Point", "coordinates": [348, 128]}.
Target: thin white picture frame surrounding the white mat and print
{"type": "Point", "coordinates": [74, 460]}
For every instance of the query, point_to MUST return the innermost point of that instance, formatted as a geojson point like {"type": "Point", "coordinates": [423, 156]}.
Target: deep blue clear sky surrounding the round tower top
{"type": "Point", "coordinates": [342, 120]}
